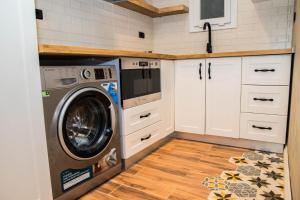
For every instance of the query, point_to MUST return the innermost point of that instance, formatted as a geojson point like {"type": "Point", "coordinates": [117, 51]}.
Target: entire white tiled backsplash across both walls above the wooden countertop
{"type": "Point", "coordinates": [262, 24]}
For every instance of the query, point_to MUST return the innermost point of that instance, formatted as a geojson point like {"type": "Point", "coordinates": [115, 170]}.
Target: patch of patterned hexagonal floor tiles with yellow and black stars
{"type": "Point", "coordinates": [259, 175]}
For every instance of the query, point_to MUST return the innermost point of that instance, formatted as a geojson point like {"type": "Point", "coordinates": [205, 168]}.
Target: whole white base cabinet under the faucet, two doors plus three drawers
{"type": "Point", "coordinates": [237, 97]}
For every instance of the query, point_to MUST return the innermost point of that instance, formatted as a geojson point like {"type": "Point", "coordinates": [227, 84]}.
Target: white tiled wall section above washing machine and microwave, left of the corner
{"type": "Point", "coordinates": [93, 23]}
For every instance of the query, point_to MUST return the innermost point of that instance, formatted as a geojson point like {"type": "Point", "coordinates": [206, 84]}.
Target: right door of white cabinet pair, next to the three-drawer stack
{"type": "Point", "coordinates": [223, 94]}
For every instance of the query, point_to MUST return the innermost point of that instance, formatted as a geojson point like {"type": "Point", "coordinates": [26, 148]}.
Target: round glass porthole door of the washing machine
{"type": "Point", "coordinates": [86, 123]}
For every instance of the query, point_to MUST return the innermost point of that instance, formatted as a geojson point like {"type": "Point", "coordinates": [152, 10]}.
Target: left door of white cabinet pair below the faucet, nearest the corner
{"type": "Point", "coordinates": [190, 96]}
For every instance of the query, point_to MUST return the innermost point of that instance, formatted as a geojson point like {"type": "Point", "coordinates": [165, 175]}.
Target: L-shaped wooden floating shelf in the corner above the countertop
{"type": "Point", "coordinates": [145, 8]}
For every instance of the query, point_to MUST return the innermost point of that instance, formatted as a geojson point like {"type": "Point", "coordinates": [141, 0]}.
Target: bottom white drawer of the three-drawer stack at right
{"type": "Point", "coordinates": [267, 128]}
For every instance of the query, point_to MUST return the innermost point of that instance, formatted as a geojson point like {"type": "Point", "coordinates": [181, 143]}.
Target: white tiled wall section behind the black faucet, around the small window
{"type": "Point", "coordinates": [262, 24]}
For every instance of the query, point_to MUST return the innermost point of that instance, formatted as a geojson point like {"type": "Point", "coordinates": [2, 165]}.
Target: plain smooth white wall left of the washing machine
{"type": "Point", "coordinates": [24, 170]}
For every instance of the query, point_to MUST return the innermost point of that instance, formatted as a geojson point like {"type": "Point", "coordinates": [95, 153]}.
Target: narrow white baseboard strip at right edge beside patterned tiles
{"type": "Point", "coordinates": [287, 180]}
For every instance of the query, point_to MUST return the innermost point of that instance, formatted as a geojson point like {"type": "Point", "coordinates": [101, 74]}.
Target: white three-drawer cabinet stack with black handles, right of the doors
{"type": "Point", "coordinates": [265, 98]}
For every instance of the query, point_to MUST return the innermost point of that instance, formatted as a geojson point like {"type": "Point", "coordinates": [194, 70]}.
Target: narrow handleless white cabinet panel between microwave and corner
{"type": "Point", "coordinates": [167, 100]}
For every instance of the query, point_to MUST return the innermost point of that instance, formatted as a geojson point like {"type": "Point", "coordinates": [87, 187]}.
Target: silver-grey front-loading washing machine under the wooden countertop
{"type": "Point", "coordinates": [80, 102]}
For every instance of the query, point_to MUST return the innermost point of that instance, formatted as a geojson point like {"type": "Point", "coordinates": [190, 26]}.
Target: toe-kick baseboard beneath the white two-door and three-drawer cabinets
{"type": "Point", "coordinates": [234, 142]}
